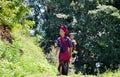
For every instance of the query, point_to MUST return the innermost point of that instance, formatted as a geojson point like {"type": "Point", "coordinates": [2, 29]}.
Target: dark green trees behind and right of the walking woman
{"type": "Point", "coordinates": [97, 27]}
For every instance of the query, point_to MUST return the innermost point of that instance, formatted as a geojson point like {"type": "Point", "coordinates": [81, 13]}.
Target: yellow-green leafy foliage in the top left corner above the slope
{"type": "Point", "coordinates": [14, 12]}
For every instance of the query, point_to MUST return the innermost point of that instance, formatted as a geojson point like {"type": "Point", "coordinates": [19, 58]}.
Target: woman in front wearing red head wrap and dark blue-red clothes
{"type": "Point", "coordinates": [64, 46]}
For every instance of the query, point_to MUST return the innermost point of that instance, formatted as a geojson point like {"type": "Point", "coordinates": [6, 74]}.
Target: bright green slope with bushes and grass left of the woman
{"type": "Point", "coordinates": [22, 57]}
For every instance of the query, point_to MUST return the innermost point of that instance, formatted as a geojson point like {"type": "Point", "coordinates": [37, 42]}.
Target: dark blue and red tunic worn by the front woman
{"type": "Point", "coordinates": [64, 44]}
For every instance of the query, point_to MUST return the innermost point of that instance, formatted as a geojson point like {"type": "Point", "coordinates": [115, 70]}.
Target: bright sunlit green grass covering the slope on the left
{"type": "Point", "coordinates": [32, 62]}
